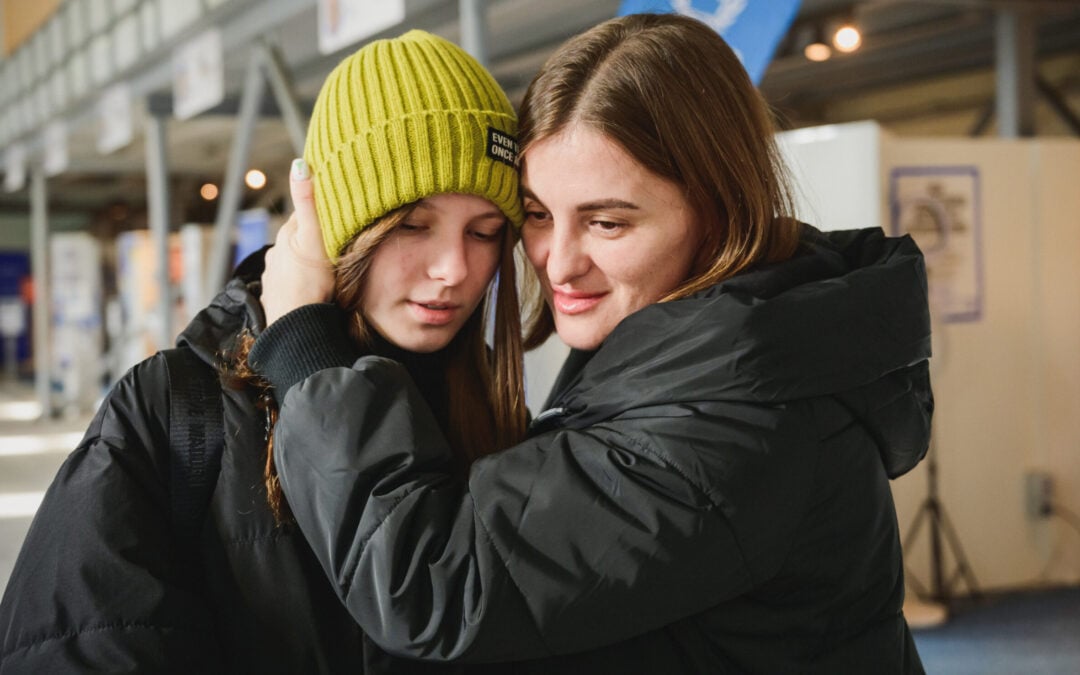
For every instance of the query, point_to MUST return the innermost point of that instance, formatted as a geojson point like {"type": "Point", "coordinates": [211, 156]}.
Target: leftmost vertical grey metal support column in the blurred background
{"type": "Point", "coordinates": [43, 295]}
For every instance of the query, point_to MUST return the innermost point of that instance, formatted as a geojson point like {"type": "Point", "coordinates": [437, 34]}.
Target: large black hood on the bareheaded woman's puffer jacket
{"type": "Point", "coordinates": [847, 312]}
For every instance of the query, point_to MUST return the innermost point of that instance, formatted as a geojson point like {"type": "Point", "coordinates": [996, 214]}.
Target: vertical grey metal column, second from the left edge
{"type": "Point", "coordinates": [158, 214]}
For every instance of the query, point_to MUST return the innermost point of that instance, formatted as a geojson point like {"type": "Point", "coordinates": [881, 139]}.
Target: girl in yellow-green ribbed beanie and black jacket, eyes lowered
{"type": "Point", "coordinates": [412, 144]}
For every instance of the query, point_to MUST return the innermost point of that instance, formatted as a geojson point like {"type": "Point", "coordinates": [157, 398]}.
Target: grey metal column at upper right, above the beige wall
{"type": "Point", "coordinates": [1016, 73]}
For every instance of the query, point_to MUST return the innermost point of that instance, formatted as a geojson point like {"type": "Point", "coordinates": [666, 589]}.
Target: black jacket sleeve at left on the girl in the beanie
{"type": "Point", "coordinates": [97, 587]}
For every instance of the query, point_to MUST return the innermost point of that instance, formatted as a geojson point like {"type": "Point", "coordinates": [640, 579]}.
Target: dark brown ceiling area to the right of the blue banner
{"type": "Point", "coordinates": [912, 47]}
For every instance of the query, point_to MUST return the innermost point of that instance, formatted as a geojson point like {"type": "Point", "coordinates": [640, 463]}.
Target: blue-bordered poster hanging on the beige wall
{"type": "Point", "coordinates": [940, 208]}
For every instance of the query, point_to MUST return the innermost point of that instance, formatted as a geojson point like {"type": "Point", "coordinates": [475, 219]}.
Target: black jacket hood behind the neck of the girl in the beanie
{"type": "Point", "coordinates": [237, 307]}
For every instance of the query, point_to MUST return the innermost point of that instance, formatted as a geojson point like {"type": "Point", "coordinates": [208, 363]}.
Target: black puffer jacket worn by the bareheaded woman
{"type": "Point", "coordinates": [708, 494]}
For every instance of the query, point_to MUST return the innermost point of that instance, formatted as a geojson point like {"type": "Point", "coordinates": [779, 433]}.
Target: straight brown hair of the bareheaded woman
{"type": "Point", "coordinates": [674, 96]}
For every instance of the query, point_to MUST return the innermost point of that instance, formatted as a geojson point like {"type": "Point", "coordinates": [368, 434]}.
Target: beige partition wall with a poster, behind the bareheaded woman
{"type": "Point", "coordinates": [1008, 386]}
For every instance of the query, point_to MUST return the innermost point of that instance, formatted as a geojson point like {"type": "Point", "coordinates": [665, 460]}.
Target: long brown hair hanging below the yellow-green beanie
{"type": "Point", "coordinates": [484, 395]}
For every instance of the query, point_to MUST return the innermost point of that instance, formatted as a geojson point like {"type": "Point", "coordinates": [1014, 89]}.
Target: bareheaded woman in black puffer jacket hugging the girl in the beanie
{"type": "Point", "coordinates": [707, 490]}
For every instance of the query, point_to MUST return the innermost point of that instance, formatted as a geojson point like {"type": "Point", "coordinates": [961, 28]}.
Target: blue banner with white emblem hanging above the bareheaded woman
{"type": "Point", "coordinates": [752, 28]}
